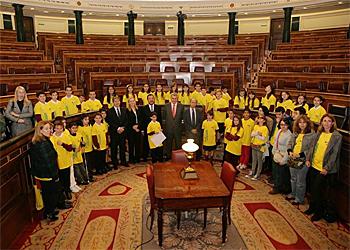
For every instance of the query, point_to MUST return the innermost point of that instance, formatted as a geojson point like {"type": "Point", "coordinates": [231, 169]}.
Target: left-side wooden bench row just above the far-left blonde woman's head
{"type": "Point", "coordinates": [32, 82]}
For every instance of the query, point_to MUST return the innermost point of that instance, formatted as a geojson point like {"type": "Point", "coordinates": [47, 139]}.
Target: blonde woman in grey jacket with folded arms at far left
{"type": "Point", "coordinates": [20, 111]}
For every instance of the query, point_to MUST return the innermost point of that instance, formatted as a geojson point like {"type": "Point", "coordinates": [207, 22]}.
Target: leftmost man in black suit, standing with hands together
{"type": "Point", "coordinates": [116, 119]}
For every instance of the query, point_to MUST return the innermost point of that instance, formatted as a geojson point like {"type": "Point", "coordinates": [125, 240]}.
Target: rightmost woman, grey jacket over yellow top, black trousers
{"type": "Point", "coordinates": [323, 162]}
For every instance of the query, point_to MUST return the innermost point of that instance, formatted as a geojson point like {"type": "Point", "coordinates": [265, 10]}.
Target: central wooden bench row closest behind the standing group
{"type": "Point", "coordinates": [83, 68]}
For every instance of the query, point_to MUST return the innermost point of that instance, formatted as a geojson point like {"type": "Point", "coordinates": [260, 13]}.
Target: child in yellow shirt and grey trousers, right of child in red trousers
{"type": "Point", "coordinates": [259, 139]}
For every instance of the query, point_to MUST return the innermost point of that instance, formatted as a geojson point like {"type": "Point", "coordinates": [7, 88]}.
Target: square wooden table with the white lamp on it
{"type": "Point", "coordinates": [174, 193]}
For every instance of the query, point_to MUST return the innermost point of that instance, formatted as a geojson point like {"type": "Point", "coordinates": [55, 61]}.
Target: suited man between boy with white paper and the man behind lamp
{"type": "Point", "coordinates": [173, 113]}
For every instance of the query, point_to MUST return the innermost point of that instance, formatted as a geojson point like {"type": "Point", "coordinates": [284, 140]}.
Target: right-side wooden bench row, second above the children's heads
{"type": "Point", "coordinates": [317, 66]}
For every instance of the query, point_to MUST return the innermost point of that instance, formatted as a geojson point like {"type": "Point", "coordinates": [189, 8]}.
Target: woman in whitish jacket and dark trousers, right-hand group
{"type": "Point", "coordinates": [280, 158]}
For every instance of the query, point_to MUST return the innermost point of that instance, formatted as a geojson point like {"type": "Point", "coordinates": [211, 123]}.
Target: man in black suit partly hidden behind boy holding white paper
{"type": "Point", "coordinates": [146, 119]}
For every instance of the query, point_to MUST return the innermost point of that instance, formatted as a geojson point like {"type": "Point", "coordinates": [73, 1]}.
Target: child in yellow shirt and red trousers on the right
{"type": "Point", "coordinates": [248, 125]}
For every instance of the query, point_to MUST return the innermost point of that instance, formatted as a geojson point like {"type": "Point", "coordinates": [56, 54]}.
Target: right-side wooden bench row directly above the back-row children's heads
{"type": "Point", "coordinates": [316, 82]}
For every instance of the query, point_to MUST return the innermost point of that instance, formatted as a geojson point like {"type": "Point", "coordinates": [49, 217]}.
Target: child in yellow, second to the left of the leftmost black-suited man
{"type": "Point", "coordinates": [86, 131]}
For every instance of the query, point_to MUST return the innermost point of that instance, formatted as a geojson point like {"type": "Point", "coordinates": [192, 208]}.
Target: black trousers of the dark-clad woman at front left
{"type": "Point", "coordinates": [50, 192]}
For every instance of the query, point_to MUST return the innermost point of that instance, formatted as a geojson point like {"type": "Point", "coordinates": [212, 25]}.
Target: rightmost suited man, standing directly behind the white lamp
{"type": "Point", "coordinates": [193, 119]}
